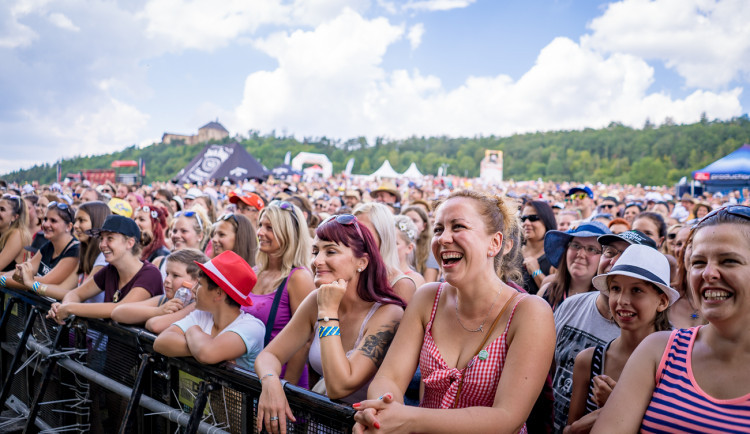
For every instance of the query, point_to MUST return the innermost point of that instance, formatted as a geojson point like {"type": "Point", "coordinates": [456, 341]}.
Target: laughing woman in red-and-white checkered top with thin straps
{"type": "Point", "coordinates": [484, 349]}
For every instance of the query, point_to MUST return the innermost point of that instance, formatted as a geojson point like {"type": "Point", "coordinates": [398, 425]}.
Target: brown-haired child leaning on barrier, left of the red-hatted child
{"type": "Point", "coordinates": [160, 311]}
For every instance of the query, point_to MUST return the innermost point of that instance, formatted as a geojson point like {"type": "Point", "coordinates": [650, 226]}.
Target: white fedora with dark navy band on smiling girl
{"type": "Point", "coordinates": [644, 263]}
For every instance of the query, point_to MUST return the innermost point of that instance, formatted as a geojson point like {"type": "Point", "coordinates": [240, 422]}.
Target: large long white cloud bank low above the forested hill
{"type": "Point", "coordinates": [328, 85]}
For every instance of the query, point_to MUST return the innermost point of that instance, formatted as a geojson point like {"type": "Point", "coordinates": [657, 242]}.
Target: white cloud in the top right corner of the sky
{"type": "Point", "coordinates": [706, 41]}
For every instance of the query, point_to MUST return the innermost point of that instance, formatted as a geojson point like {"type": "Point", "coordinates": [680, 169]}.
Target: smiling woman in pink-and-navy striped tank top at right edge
{"type": "Point", "coordinates": [694, 380]}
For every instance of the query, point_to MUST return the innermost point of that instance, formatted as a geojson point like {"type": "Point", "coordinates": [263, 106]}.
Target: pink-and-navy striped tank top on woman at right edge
{"type": "Point", "coordinates": [678, 404]}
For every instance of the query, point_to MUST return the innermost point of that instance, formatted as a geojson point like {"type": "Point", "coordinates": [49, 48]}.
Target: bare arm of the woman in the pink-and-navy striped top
{"type": "Point", "coordinates": [628, 402]}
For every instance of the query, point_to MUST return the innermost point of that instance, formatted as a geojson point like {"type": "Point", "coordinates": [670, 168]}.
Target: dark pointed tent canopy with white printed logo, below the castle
{"type": "Point", "coordinates": [230, 161]}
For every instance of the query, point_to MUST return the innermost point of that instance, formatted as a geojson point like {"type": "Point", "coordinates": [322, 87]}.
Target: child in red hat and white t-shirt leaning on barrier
{"type": "Point", "coordinates": [223, 287]}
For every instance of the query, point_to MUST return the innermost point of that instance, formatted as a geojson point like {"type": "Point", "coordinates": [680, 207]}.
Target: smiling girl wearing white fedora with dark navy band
{"type": "Point", "coordinates": [638, 296]}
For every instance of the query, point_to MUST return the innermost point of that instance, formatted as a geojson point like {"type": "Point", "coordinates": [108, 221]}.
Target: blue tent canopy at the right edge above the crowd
{"type": "Point", "coordinates": [731, 172]}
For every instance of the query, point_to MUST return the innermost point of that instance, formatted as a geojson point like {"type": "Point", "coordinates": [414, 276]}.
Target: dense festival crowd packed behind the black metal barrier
{"type": "Point", "coordinates": [437, 305]}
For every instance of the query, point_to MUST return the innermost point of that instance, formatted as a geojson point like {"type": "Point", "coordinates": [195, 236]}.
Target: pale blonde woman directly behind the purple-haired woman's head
{"type": "Point", "coordinates": [378, 218]}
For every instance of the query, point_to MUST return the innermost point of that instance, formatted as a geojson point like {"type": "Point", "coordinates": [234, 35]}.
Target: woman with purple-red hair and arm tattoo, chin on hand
{"type": "Point", "coordinates": [352, 316]}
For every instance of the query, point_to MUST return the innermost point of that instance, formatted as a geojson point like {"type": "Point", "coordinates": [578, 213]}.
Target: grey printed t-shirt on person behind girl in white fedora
{"type": "Point", "coordinates": [578, 325]}
